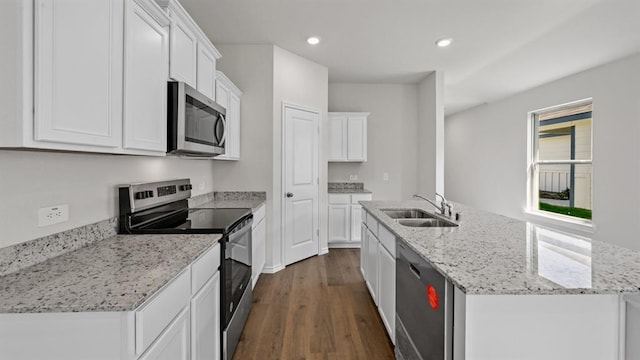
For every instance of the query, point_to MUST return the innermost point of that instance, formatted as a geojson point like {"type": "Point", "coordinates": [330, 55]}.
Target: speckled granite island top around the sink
{"type": "Point", "coordinates": [491, 254]}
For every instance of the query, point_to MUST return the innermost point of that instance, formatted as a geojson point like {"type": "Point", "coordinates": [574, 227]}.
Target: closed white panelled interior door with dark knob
{"type": "Point", "coordinates": [300, 183]}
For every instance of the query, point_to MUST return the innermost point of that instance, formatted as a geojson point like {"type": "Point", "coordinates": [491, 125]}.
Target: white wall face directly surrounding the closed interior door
{"type": "Point", "coordinates": [301, 82]}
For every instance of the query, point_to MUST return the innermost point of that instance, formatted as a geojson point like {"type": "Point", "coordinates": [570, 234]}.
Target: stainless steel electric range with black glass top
{"type": "Point", "coordinates": [162, 208]}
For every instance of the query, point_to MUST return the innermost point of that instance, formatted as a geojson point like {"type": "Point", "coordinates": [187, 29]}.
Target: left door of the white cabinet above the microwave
{"type": "Point", "coordinates": [184, 52]}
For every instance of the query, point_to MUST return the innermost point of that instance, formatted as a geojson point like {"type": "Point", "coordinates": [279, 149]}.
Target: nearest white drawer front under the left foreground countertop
{"type": "Point", "coordinates": [156, 314]}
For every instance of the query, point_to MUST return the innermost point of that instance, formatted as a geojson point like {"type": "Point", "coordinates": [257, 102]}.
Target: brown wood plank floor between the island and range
{"type": "Point", "coordinates": [318, 308]}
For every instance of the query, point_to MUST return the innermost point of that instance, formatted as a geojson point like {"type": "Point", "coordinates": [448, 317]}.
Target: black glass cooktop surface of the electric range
{"type": "Point", "coordinates": [190, 221]}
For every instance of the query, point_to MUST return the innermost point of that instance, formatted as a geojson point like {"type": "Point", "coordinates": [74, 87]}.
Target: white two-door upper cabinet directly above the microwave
{"type": "Point", "coordinates": [193, 56]}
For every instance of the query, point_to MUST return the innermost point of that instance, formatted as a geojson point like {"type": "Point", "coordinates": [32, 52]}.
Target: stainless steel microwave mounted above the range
{"type": "Point", "coordinates": [196, 124]}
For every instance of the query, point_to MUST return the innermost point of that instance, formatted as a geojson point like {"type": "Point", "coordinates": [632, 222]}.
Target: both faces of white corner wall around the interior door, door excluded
{"type": "Point", "coordinates": [267, 76]}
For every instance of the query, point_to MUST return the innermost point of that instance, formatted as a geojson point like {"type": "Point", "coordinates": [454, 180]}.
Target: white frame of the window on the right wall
{"type": "Point", "coordinates": [533, 164]}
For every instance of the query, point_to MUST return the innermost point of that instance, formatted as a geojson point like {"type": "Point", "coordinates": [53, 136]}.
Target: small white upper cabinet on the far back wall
{"type": "Point", "coordinates": [347, 137]}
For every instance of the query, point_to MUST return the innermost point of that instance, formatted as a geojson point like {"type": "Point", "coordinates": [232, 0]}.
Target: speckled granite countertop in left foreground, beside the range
{"type": "Point", "coordinates": [115, 274]}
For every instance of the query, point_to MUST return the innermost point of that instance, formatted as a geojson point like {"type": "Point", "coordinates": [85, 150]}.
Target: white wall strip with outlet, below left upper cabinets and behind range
{"type": "Point", "coordinates": [87, 182]}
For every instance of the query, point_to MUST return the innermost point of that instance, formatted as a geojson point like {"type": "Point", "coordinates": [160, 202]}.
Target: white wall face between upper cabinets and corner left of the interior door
{"type": "Point", "coordinates": [250, 67]}
